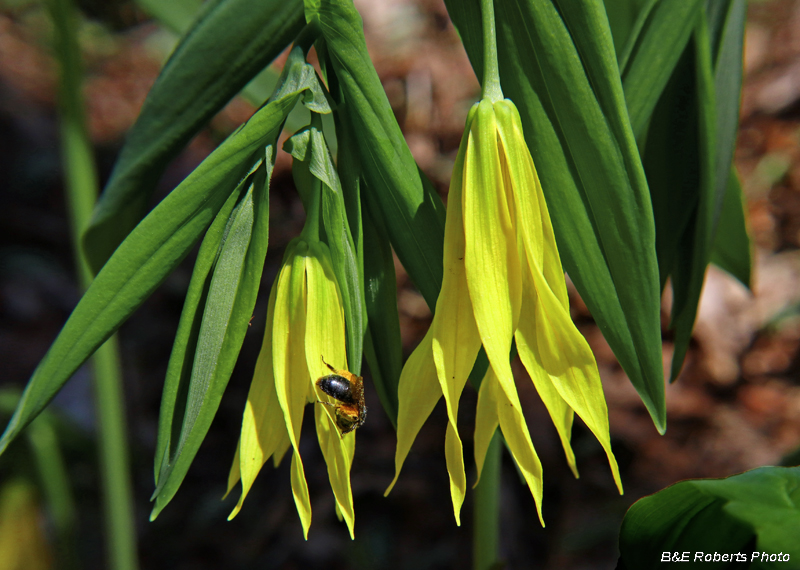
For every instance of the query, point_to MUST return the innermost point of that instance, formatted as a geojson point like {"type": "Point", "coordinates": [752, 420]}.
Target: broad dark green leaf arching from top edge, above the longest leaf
{"type": "Point", "coordinates": [219, 55]}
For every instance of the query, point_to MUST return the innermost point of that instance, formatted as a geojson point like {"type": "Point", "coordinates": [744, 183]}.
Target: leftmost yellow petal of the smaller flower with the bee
{"type": "Point", "coordinates": [263, 427]}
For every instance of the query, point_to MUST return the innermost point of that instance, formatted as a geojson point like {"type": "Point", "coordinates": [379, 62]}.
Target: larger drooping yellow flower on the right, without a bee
{"type": "Point", "coordinates": [503, 280]}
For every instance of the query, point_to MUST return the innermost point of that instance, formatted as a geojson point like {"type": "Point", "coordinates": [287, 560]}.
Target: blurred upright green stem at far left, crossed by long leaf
{"type": "Point", "coordinates": [82, 189]}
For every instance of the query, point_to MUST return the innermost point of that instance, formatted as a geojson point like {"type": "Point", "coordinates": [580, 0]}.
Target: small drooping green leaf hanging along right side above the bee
{"type": "Point", "coordinates": [311, 155]}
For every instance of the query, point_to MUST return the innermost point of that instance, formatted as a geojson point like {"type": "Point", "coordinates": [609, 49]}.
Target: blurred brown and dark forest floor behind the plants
{"type": "Point", "coordinates": [735, 406]}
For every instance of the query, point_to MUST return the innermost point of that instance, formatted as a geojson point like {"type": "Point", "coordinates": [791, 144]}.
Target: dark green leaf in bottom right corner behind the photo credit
{"type": "Point", "coordinates": [754, 512]}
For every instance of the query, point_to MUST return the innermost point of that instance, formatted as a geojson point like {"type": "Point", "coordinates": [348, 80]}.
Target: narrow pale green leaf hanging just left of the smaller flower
{"type": "Point", "coordinates": [230, 299]}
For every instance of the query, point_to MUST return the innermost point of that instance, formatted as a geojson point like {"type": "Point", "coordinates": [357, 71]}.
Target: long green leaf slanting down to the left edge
{"type": "Point", "coordinates": [160, 242]}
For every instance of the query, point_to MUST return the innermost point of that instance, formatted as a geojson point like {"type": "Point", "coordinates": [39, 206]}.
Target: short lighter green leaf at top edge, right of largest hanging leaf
{"type": "Point", "coordinates": [651, 55]}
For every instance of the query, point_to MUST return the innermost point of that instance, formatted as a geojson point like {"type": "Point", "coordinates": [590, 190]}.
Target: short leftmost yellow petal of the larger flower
{"type": "Point", "coordinates": [417, 392]}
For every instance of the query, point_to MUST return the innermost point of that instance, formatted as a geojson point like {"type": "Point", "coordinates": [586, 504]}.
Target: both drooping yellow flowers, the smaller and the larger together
{"type": "Point", "coordinates": [503, 281]}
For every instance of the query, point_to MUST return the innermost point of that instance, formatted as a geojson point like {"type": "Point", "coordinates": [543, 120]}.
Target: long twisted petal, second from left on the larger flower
{"type": "Point", "coordinates": [455, 336]}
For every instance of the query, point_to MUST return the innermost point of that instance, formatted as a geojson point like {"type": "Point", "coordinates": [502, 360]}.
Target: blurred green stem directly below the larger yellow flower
{"type": "Point", "coordinates": [486, 517]}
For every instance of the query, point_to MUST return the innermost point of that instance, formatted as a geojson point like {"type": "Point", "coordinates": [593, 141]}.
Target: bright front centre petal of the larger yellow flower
{"type": "Point", "coordinates": [492, 262]}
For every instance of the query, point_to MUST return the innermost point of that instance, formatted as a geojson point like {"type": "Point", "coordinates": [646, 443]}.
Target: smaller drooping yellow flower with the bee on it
{"type": "Point", "coordinates": [305, 324]}
